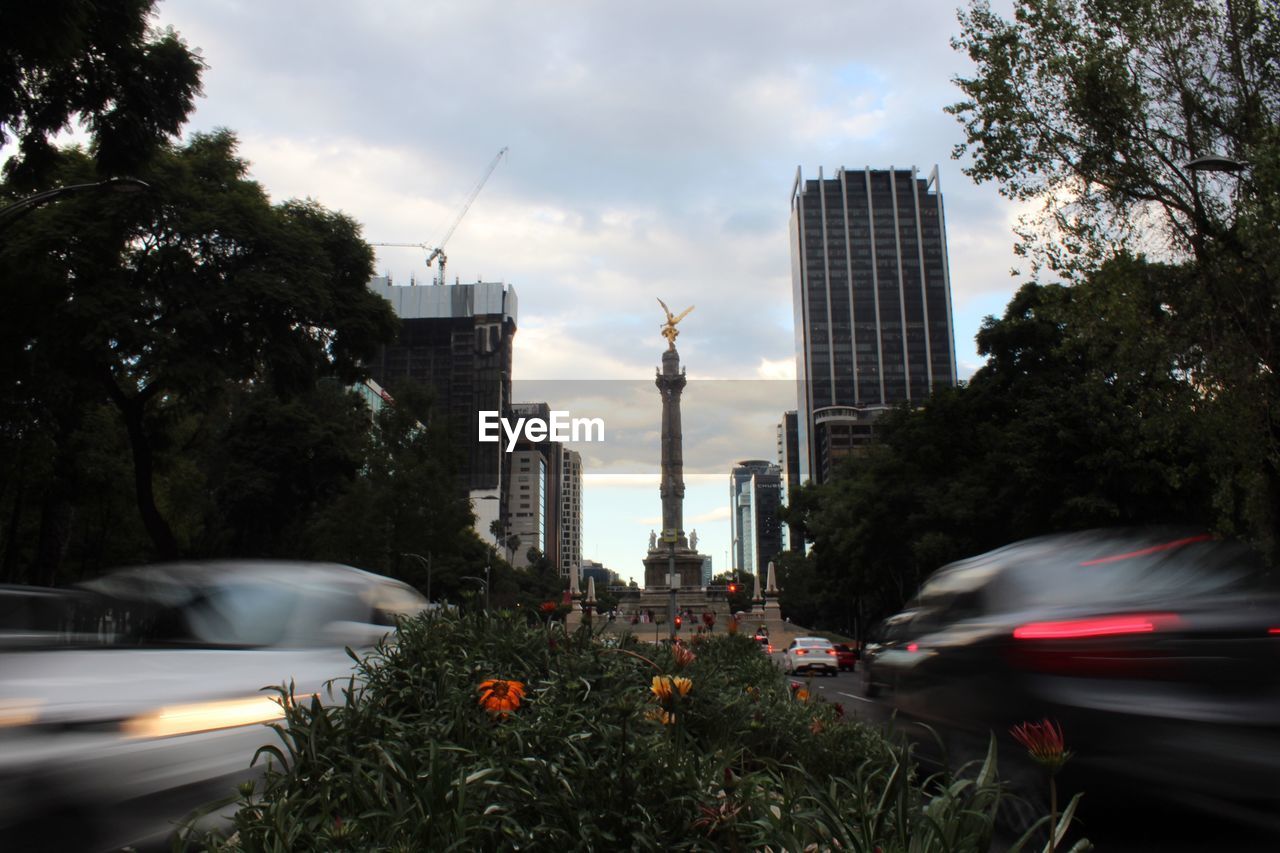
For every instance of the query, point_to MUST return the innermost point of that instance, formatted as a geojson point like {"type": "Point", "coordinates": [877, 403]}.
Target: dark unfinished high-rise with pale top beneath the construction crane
{"type": "Point", "coordinates": [458, 340]}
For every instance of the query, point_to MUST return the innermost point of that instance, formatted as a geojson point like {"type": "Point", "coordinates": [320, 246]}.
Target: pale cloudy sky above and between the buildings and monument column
{"type": "Point", "coordinates": [652, 152]}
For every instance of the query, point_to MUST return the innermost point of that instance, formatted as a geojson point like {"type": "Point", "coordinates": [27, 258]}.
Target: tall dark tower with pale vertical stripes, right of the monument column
{"type": "Point", "coordinates": [872, 302]}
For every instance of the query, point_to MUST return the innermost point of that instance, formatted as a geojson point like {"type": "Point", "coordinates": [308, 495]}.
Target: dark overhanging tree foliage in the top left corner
{"type": "Point", "coordinates": [97, 63]}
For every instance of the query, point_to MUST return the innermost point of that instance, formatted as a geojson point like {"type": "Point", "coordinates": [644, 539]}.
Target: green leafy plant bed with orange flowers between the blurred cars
{"type": "Point", "coordinates": [412, 761]}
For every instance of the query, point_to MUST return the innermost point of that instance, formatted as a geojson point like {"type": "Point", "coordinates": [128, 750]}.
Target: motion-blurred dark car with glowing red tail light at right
{"type": "Point", "coordinates": [1156, 651]}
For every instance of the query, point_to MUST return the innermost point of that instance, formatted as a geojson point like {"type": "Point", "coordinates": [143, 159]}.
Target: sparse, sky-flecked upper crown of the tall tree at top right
{"type": "Point", "coordinates": [1092, 110]}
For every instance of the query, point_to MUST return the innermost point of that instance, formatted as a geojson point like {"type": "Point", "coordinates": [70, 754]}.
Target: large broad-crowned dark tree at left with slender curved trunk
{"type": "Point", "coordinates": [161, 303]}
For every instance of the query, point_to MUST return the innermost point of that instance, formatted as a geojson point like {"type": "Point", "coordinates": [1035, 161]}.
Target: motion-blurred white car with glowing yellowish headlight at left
{"type": "Point", "coordinates": [113, 745]}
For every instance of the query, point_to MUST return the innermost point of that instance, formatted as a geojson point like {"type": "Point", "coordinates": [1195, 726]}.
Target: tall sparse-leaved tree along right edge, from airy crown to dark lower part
{"type": "Point", "coordinates": [1095, 110]}
